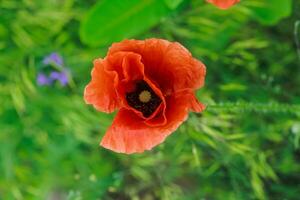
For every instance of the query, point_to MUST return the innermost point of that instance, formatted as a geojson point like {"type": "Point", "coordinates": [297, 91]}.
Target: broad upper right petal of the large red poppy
{"type": "Point", "coordinates": [166, 59]}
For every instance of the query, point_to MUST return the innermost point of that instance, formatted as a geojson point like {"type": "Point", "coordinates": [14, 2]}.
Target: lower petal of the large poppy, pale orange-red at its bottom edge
{"type": "Point", "coordinates": [129, 134]}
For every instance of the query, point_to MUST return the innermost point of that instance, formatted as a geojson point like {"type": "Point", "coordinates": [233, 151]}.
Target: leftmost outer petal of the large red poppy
{"type": "Point", "coordinates": [100, 92]}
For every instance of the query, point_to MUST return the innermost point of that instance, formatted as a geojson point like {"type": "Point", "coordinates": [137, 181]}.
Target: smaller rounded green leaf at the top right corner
{"type": "Point", "coordinates": [270, 12]}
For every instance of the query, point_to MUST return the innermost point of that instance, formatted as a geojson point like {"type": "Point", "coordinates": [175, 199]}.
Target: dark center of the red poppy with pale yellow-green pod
{"type": "Point", "coordinates": [143, 99]}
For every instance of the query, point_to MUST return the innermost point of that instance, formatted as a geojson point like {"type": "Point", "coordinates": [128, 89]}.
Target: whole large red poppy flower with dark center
{"type": "Point", "coordinates": [151, 83]}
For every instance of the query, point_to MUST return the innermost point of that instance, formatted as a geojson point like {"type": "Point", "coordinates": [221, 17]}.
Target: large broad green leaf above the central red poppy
{"type": "Point", "coordinates": [109, 21]}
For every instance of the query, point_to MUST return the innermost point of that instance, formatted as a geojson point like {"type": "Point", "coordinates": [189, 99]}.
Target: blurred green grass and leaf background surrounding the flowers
{"type": "Point", "coordinates": [244, 146]}
